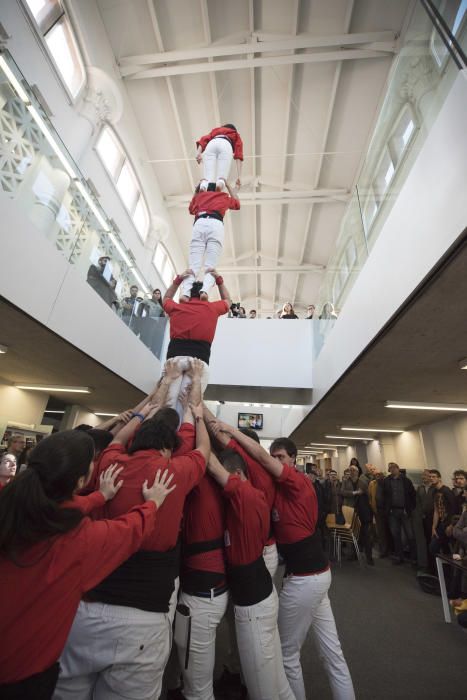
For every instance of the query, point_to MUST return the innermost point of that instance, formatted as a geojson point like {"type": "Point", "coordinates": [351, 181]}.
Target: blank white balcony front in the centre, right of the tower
{"type": "Point", "coordinates": [259, 353]}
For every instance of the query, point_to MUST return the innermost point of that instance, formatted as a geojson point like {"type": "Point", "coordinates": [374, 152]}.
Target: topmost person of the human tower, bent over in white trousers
{"type": "Point", "coordinates": [219, 146]}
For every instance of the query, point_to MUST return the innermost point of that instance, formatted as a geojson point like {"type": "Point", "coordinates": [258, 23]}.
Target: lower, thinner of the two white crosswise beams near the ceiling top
{"type": "Point", "coordinates": [240, 64]}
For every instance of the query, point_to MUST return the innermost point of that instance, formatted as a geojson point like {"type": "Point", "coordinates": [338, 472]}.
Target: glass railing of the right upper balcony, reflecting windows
{"type": "Point", "coordinates": [420, 79]}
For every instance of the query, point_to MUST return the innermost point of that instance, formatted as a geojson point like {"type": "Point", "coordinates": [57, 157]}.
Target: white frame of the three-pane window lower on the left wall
{"type": "Point", "coordinates": [125, 161]}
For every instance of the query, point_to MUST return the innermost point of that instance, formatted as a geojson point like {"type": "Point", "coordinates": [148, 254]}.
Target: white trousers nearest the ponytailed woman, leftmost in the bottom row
{"type": "Point", "coordinates": [114, 652]}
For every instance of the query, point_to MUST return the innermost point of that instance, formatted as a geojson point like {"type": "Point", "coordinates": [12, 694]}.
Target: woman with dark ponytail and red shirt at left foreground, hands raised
{"type": "Point", "coordinates": [50, 554]}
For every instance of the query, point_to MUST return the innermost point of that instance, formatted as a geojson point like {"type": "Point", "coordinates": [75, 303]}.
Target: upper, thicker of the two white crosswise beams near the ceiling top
{"type": "Point", "coordinates": [384, 41]}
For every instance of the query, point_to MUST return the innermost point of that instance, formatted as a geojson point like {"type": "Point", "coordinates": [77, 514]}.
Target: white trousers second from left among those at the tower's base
{"type": "Point", "coordinates": [206, 614]}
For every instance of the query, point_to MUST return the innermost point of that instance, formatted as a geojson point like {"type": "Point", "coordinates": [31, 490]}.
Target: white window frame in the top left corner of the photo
{"type": "Point", "coordinates": [41, 34]}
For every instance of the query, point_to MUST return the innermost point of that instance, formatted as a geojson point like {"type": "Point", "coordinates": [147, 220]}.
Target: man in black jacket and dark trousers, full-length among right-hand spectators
{"type": "Point", "coordinates": [399, 502]}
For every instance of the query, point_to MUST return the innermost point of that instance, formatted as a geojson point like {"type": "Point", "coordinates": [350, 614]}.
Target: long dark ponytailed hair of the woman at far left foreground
{"type": "Point", "coordinates": [30, 505]}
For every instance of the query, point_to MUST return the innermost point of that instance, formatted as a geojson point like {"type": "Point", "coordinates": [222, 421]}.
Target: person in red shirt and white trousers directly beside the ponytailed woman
{"type": "Point", "coordinates": [120, 641]}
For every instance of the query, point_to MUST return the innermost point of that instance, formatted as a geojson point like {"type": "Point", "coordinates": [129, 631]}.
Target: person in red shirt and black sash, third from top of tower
{"type": "Point", "coordinates": [192, 328]}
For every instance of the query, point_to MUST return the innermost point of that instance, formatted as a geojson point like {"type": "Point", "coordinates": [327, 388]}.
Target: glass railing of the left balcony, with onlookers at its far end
{"type": "Point", "coordinates": [38, 172]}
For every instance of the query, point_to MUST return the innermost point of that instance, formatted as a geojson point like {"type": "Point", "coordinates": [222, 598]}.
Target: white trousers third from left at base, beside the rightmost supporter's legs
{"type": "Point", "coordinates": [260, 650]}
